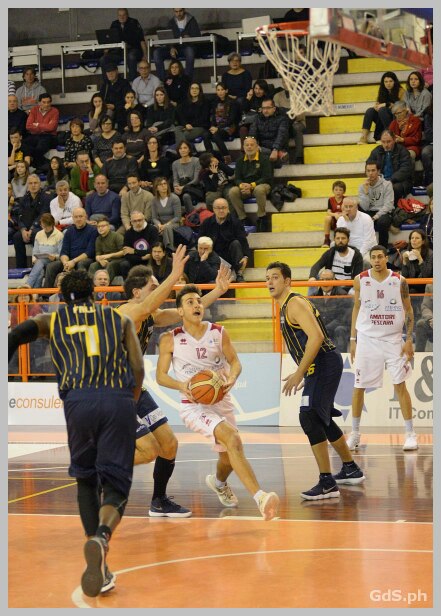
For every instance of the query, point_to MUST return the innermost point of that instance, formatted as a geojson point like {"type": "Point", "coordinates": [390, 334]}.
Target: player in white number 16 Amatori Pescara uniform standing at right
{"type": "Point", "coordinates": [382, 308]}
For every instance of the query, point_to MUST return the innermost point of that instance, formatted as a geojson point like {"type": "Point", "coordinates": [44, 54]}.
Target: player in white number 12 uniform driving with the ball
{"type": "Point", "coordinates": [196, 346]}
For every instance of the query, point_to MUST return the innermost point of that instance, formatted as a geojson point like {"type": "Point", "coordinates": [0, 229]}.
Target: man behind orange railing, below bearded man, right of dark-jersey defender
{"type": "Point", "coordinates": [336, 313]}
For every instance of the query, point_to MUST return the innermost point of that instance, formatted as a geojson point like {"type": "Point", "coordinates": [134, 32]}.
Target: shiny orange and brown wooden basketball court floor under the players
{"type": "Point", "coordinates": [370, 548]}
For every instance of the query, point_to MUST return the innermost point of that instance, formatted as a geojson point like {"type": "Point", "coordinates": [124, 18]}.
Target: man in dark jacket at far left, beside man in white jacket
{"type": "Point", "coordinates": [28, 214]}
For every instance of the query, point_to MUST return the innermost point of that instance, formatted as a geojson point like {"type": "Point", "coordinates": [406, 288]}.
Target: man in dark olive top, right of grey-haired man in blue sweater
{"type": "Point", "coordinates": [108, 250]}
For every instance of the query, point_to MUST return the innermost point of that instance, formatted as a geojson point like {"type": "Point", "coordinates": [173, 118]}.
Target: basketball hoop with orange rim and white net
{"type": "Point", "coordinates": [308, 76]}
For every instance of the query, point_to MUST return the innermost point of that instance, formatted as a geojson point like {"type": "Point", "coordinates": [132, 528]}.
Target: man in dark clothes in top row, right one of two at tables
{"type": "Point", "coordinates": [183, 25]}
